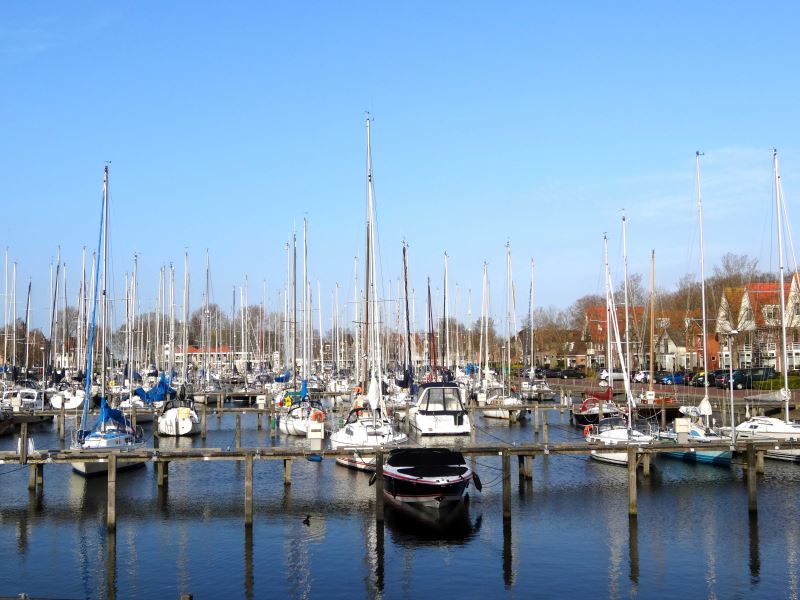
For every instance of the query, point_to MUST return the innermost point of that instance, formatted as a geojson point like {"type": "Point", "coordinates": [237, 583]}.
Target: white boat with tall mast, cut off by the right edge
{"type": "Point", "coordinates": [772, 428]}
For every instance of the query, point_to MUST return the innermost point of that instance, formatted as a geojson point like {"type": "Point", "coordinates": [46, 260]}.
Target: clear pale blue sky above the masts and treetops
{"type": "Point", "coordinates": [532, 123]}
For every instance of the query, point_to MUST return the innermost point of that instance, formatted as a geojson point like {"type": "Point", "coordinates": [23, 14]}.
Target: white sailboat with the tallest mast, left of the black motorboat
{"type": "Point", "coordinates": [368, 426]}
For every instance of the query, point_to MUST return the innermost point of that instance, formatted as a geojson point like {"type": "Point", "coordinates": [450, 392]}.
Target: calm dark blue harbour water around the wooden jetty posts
{"type": "Point", "coordinates": [569, 535]}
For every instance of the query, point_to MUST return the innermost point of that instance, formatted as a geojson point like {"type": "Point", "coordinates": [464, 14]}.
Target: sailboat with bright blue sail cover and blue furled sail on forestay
{"type": "Point", "coordinates": [112, 431]}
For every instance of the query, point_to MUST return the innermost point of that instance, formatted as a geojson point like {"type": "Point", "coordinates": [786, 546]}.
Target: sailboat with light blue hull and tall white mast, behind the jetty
{"type": "Point", "coordinates": [697, 428]}
